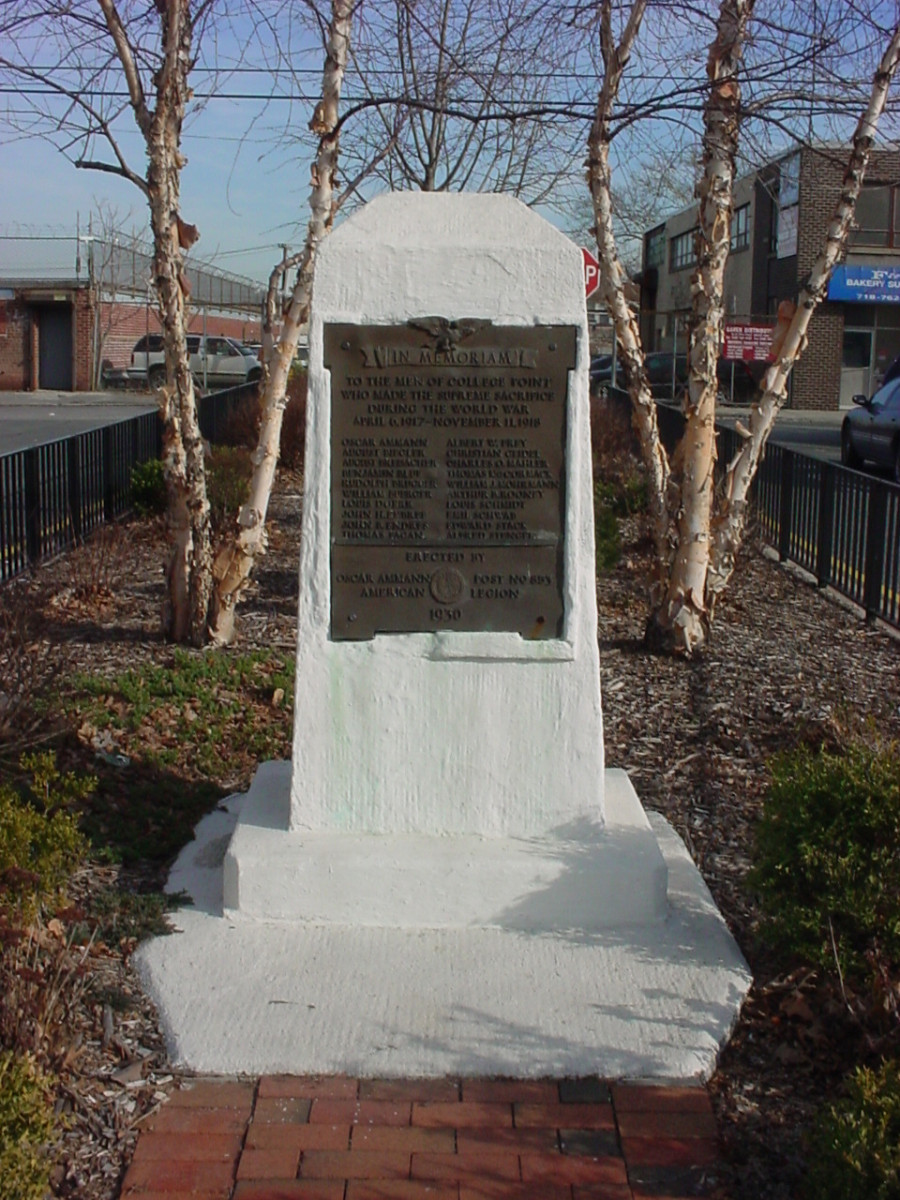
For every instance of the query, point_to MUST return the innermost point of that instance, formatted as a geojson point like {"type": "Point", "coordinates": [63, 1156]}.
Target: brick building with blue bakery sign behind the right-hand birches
{"type": "Point", "coordinates": [781, 218]}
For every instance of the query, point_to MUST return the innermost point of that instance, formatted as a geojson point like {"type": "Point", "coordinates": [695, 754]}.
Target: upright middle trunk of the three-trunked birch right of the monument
{"type": "Point", "coordinates": [682, 620]}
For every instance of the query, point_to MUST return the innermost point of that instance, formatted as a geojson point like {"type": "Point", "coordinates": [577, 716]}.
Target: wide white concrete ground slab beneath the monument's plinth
{"type": "Point", "coordinates": [248, 997]}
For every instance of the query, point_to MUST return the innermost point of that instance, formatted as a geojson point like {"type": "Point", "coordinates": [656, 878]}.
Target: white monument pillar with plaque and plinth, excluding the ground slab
{"type": "Point", "coordinates": [448, 766]}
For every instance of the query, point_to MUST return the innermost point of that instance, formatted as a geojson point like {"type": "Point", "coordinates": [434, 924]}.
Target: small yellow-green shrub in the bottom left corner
{"type": "Point", "coordinates": [26, 1129]}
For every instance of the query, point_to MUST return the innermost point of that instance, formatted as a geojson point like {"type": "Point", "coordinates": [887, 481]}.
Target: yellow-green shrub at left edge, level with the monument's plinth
{"type": "Point", "coordinates": [40, 841]}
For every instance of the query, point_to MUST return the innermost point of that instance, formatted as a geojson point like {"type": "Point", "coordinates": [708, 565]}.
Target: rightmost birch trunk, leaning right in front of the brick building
{"type": "Point", "coordinates": [730, 521]}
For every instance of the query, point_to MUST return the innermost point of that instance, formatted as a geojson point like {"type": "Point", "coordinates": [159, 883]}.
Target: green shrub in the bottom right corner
{"type": "Point", "coordinates": [855, 1149]}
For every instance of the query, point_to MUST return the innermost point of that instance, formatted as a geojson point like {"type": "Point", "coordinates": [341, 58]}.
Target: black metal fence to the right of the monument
{"type": "Point", "coordinates": [839, 525]}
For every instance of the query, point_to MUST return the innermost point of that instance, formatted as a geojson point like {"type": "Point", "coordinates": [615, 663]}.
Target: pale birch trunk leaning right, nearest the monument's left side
{"type": "Point", "coordinates": [236, 561]}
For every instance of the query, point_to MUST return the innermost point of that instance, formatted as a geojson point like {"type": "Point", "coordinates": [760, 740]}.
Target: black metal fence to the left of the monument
{"type": "Point", "coordinates": [55, 495]}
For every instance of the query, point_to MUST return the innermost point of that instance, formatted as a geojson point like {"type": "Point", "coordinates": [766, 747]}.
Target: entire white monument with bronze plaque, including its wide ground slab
{"type": "Point", "coordinates": [446, 880]}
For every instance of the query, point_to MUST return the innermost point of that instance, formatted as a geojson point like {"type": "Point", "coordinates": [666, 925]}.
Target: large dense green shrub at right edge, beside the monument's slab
{"type": "Point", "coordinates": [827, 859]}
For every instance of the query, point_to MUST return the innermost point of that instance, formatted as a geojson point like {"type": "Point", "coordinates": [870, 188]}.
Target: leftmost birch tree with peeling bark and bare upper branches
{"type": "Point", "coordinates": [152, 49]}
